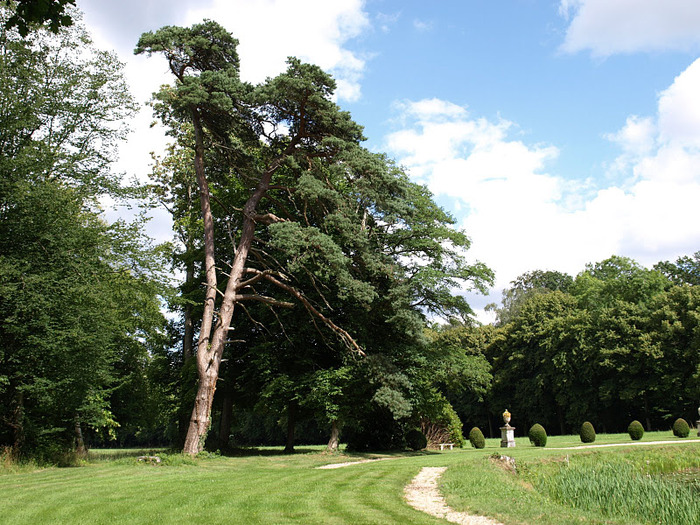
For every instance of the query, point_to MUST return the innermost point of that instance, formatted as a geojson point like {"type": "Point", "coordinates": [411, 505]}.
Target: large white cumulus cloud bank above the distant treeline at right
{"type": "Point", "coordinates": [523, 217]}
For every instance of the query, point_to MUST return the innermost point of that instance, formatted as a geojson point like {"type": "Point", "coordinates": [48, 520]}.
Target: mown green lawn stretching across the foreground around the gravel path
{"type": "Point", "coordinates": [265, 486]}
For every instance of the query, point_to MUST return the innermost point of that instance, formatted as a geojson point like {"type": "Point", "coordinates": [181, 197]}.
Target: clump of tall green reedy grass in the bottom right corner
{"type": "Point", "coordinates": [616, 489]}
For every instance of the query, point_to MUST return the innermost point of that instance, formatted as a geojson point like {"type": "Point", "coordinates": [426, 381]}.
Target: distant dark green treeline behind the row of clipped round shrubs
{"type": "Point", "coordinates": [616, 343]}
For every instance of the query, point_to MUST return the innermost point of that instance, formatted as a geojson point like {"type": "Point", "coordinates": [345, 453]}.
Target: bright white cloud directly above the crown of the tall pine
{"type": "Point", "coordinates": [315, 31]}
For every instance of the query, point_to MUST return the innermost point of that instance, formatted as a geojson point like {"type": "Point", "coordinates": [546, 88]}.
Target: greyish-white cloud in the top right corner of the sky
{"type": "Point", "coordinates": [606, 27]}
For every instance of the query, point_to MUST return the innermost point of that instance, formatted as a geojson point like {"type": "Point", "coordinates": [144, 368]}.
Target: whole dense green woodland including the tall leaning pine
{"type": "Point", "coordinates": [311, 292]}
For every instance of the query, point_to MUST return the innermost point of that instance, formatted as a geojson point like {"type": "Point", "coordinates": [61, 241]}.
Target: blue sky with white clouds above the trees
{"type": "Point", "coordinates": [557, 133]}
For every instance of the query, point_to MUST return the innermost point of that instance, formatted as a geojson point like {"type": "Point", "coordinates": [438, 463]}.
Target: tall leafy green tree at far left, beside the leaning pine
{"type": "Point", "coordinates": [79, 298]}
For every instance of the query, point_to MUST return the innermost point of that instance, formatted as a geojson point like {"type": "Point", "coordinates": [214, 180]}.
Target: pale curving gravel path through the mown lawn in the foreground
{"type": "Point", "coordinates": [423, 494]}
